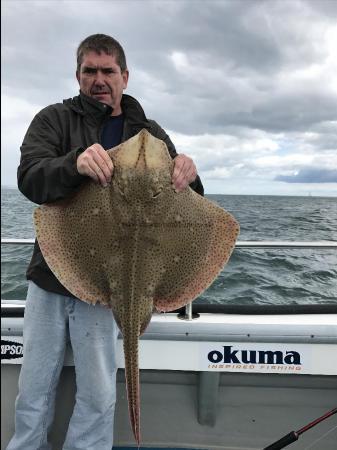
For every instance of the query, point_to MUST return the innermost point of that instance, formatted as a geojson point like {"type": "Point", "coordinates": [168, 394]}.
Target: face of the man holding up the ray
{"type": "Point", "coordinates": [100, 77]}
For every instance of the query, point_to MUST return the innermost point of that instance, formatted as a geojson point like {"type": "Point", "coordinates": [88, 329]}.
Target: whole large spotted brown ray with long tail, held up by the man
{"type": "Point", "coordinates": [136, 246]}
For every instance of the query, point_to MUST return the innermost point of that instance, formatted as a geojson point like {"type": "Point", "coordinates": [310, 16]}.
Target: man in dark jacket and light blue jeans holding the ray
{"type": "Point", "coordinates": [64, 145]}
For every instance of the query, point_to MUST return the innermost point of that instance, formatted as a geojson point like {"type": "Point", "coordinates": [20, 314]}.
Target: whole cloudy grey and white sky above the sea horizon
{"type": "Point", "coordinates": [247, 88]}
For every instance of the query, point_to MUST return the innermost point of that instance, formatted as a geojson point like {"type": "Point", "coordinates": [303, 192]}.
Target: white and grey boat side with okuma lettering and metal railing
{"type": "Point", "coordinates": [212, 376]}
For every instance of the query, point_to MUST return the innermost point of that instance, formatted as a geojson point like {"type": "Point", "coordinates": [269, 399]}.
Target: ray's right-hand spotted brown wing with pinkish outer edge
{"type": "Point", "coordinates": [196, 238]}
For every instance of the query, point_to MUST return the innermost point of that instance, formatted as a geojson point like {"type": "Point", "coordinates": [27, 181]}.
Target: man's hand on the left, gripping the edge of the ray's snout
{"type": "Point", "coordinates": [96, 164]}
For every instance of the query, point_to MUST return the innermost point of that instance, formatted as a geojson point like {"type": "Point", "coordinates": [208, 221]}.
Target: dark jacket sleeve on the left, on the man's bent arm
{"type": "Point", "coordinates": [47, 170]}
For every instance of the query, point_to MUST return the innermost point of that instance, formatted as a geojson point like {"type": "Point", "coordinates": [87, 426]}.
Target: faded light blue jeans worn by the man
{"type": "Point", "coordinates": [50, 321]}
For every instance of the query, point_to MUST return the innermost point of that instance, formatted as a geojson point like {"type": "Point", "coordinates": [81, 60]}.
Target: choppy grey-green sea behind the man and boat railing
{"type": "Point", "coordinates": [252, 276]}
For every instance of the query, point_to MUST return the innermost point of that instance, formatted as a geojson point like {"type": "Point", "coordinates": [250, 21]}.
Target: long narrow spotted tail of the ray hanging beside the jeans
{"type": "Point", "coordinates": [132, 381]}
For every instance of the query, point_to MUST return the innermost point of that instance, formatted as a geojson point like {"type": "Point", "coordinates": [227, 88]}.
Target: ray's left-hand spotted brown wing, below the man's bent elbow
{"type": "Point", "coordinates": [80, 240]}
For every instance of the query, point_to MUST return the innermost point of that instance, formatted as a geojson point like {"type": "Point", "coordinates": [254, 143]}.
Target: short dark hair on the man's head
{"type": "Point", "coordinates": [101, 43]}
